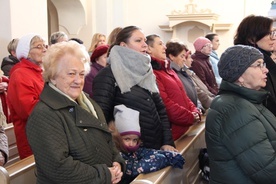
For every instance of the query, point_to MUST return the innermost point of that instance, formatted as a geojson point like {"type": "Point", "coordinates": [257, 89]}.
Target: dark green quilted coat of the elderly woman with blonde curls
{"type": "Point", "coordinates": [70, 145]}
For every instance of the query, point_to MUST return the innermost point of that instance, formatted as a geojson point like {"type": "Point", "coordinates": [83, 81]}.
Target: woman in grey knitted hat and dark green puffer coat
{"type": "Point", "coordinates": [240, 130]}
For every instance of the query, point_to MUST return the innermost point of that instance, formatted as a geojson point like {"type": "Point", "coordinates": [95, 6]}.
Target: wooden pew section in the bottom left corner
{"type": "Point", "coordinates": [21, 172]}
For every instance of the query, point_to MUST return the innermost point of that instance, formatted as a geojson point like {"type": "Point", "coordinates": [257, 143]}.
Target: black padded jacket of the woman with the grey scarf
{"type": "Point", "coordinates": [154, 123]}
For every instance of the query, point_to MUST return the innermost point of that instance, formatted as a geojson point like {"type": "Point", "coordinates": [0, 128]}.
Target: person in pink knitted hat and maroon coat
{"type": "Point", "coordinates": [201, 64]}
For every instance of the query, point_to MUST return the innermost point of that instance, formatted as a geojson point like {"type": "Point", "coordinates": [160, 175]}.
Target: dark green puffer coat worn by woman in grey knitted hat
{"type": "Point", "coordinates": [241, 137]}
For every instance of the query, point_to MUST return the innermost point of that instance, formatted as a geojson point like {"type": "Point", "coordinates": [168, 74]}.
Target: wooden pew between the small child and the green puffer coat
{"type": "Point", "coordinates": [188, 145]}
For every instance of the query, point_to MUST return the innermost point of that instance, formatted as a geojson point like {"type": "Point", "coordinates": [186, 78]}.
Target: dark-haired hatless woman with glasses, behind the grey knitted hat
{"type": "Point", "coordinates": [257, 31]}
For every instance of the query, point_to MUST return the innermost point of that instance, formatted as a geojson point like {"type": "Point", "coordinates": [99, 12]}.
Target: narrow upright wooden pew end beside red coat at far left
{"type": "Point", "coordinates": [13, 152]}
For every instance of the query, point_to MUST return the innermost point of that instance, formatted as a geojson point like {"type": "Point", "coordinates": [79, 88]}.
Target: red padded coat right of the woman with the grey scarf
{"type": "Point", "coordinates": [179, 107]}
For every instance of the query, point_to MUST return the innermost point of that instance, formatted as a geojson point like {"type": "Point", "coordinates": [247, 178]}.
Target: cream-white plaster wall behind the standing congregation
{"type": "Point", "coordinates": [19, 17]}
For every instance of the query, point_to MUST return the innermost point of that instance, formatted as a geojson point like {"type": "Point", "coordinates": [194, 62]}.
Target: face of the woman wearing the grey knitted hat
{"type": "Point", "coordinates": [254, 76]}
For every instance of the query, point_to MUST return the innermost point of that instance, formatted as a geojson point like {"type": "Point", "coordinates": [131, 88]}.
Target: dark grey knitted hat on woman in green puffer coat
{"type": "Point", "coordinates": [235, 60]}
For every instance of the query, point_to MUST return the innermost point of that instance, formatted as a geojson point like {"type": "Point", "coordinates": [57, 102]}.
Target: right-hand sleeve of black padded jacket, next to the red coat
{"type": "Point", "coordinates": [167, 133]}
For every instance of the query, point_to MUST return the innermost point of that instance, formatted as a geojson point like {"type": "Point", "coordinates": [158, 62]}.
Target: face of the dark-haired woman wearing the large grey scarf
{"type": "Point", "coordinates": [136, 42]}
